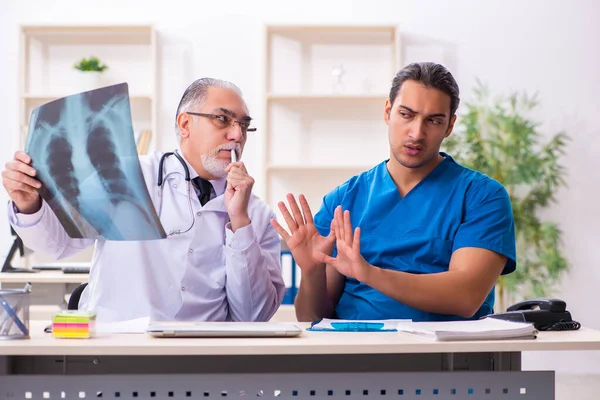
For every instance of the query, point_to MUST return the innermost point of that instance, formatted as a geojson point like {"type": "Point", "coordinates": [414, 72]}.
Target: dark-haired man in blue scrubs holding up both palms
{"type": "Point", "coordinates": [418, 236]}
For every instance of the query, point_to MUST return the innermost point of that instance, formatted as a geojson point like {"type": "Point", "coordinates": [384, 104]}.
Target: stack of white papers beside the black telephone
{"type": "Point", "coordinates": [483, 329]}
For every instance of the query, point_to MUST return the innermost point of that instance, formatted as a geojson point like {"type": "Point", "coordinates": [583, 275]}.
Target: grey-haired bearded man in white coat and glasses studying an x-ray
{"type": "Point", "coordinates": [225, 266]}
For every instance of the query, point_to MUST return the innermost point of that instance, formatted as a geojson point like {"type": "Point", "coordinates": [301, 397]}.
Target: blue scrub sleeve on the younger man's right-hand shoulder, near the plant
{"type": "Point", "coordinates": [488, 223]}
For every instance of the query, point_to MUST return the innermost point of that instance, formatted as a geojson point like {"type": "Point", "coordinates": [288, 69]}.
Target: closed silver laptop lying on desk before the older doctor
{"type": "Point", "coordinates": [222, 329]}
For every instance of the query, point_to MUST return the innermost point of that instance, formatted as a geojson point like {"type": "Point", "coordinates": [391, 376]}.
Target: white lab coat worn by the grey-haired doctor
{"type": "Point", "coordinates": [206, 274]}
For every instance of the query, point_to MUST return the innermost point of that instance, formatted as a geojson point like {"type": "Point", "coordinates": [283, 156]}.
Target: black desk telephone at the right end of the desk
{"type": "Point", "coordinates": [546, 314]}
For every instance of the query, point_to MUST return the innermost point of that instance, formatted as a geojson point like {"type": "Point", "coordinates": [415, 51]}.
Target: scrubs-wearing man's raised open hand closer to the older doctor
{"type": "Point", "coordinates": [303, 240]}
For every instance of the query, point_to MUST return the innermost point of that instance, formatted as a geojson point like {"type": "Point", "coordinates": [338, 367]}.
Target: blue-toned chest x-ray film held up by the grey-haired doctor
{"type": "Point", "coordinates": [83, 149]}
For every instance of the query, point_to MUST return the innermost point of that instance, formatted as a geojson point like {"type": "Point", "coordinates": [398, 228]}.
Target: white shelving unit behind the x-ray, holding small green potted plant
{"type": "Point", "coordinates": [48, 54]}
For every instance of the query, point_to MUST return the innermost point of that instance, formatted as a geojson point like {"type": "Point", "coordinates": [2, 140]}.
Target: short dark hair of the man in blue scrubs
{"type": "Point", "coordinates": [431, 75]}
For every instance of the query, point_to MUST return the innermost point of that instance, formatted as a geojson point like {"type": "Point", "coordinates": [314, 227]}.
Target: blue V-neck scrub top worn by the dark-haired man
{"type": "Point", "coordinates": [450, 208]}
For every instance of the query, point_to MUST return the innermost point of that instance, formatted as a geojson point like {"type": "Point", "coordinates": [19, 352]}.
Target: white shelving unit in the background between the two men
{"type": "Point", "coordinates": [319, 132]}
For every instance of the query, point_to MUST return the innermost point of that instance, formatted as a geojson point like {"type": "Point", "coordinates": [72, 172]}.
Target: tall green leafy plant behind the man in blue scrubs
{"type": "Point", "coordinates": [497, 137]}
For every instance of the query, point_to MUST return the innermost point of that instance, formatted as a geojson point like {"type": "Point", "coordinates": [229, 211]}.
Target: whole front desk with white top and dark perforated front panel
{"type": "Point", "coordinates": [314, 365]}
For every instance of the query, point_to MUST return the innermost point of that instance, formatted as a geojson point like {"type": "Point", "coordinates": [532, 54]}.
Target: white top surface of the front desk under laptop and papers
{"type": "Point", "coordinates": [308, 343]}
